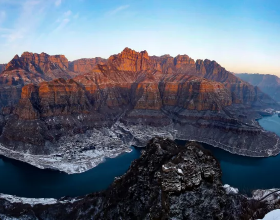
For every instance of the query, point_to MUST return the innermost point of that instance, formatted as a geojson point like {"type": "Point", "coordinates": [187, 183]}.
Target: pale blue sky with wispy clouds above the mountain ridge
{"type": "Point", "coordinates": [241, 35]}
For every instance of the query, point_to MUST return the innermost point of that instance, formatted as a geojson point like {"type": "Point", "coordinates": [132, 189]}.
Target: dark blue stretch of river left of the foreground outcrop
{"type": "Point", "coordinates": [21, 179]}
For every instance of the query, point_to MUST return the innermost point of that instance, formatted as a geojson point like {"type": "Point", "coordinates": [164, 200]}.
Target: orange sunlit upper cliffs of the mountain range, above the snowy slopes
{"type": "Point", "coordinates": [128, 80]}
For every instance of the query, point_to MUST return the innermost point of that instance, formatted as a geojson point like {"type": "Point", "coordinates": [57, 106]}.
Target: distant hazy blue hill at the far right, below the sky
{"type": "Point", "coordinates": [270, 84]}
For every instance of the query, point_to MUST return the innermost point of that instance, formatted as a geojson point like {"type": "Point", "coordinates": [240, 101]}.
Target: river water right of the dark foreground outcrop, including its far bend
{"type": "Point", "coordinates": [248, 173]}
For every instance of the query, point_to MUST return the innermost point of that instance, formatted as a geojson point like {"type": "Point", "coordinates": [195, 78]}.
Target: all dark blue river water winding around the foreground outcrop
{"type": "Point", "coordinates": [245, 173]}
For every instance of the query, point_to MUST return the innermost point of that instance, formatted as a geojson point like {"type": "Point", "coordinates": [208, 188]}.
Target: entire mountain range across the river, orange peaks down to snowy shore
{"type": "Point", "coordinates": [99, 107]}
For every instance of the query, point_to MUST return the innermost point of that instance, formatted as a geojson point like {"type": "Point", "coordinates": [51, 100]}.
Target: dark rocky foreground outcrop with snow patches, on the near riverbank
{"type": "Point", "coordinates": [166, 182]}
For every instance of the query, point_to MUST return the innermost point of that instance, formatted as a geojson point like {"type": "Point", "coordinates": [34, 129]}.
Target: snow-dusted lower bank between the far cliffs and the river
{"type": "Point", "coordinates": [73, 154]}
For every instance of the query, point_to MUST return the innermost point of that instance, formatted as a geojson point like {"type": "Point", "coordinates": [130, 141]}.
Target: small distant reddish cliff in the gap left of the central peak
{"type": "Point", "coordinates": [85, 65]}
